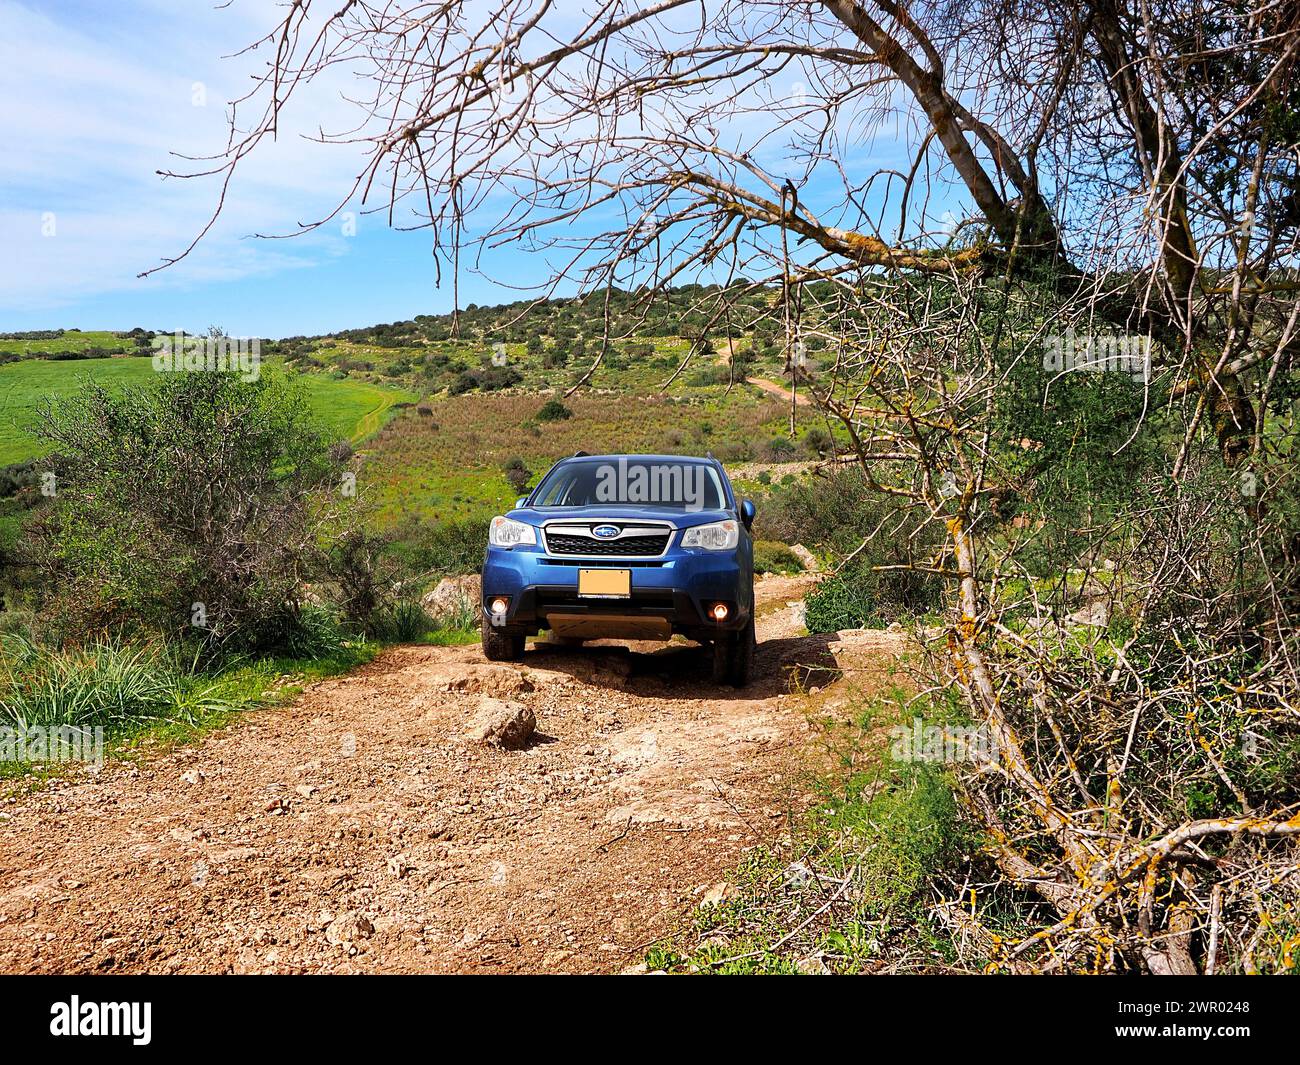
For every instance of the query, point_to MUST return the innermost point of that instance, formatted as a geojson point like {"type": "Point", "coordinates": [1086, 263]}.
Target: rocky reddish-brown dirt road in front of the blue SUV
{"type": "Point", "coordinates": [356, 832]}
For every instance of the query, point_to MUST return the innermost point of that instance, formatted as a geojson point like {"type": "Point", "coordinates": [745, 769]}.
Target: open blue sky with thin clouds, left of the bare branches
{"type": "Point", "coordinates": [101, 97]}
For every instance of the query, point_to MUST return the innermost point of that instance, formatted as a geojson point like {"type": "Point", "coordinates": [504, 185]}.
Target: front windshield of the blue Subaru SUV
{"type": "Point", "coordinates": [638, 482]}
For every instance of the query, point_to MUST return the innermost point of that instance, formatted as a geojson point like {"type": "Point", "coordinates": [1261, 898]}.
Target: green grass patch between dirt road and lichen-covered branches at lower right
{"type": "Point", "coordinates": [853, 889]}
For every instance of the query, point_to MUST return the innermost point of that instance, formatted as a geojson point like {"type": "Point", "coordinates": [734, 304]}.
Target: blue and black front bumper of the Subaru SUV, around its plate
{"type": "Point", "coordinates": [674, 591]}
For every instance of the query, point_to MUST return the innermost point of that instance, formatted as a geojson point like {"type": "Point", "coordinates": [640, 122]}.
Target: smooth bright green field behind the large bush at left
{"type": "Point", "coordinates": [349, 410]}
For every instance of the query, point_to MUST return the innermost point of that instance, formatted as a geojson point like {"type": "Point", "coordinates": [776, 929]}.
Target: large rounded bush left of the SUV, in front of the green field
{"type": "Point", "coordinates": [184, 508]}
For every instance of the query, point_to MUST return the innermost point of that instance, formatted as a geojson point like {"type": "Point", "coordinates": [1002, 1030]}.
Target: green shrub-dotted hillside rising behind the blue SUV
{"type": "Point", "coordinates": [443, 405]}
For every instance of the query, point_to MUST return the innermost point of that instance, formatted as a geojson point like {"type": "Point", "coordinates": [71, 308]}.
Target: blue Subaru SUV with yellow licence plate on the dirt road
{"type": "Point", "coordinates": [626, 548]}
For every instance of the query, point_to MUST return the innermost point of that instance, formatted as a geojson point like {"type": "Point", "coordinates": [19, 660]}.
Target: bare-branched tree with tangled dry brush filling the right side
{"type": "Point", "coordinates": [1125, 177]}
